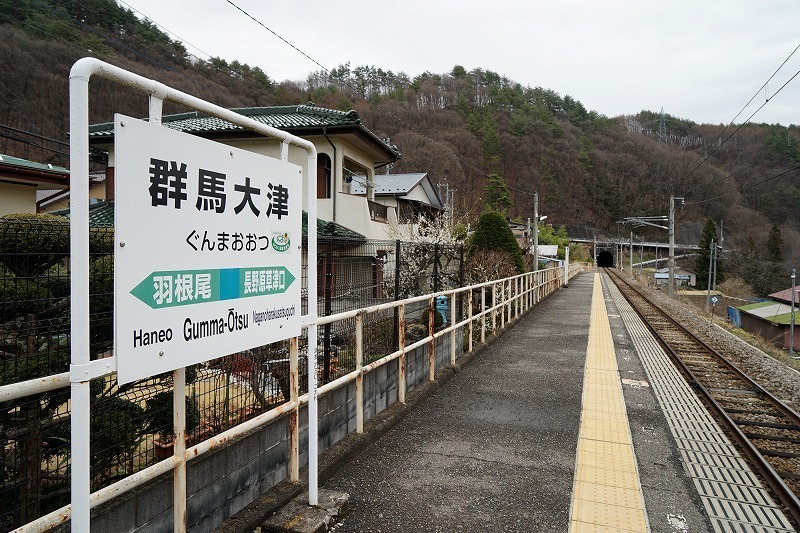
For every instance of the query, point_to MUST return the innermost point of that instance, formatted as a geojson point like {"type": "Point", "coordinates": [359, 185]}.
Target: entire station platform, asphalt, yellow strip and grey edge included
{"type": "Point", "coordinates": [574, 420]}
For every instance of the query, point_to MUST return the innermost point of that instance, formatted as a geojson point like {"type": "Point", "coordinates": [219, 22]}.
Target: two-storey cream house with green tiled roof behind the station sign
{"type": "Point", "coordinates": [349, 156]}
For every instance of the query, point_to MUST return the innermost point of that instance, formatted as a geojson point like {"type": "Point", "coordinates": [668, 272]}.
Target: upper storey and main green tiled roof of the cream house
{"type": "Point", "coordinates": [349, 155]}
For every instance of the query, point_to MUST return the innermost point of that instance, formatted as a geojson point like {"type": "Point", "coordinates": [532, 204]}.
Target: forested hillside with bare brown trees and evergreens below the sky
{"type": "Point", "coordinates": [460, 126]}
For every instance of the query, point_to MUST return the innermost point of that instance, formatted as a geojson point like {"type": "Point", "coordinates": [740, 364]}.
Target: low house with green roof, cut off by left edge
{"type": "Point", "coordinates": [21, 180]}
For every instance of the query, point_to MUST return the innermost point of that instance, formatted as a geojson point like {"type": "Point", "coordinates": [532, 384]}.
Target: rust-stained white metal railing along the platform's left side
{"type": "Point", "coordinates": [510, 298]}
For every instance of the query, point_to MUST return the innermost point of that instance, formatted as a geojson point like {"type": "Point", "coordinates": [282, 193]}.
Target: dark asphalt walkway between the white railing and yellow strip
{"type": "Point", "coordinates": [494, 449]}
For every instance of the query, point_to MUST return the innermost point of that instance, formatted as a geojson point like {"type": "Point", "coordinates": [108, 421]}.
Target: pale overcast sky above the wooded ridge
{"type": "Point", "coordinates": [699, 60]}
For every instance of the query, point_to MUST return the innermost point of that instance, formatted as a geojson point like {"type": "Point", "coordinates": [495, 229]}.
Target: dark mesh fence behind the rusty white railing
{"type": "Point", "coordinates": [132, 424]}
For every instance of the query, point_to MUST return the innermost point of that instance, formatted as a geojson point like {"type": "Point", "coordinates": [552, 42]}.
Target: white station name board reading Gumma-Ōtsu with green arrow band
{"type": "Point", "coordinates": [207, 249]}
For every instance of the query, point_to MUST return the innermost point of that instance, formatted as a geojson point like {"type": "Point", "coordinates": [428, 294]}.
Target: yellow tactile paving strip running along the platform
{"type": "Point", "coordinates": [606, 491]}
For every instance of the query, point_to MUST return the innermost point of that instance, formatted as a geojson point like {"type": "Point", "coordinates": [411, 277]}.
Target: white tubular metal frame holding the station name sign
{"type": "Point", "coordinates": [82, 369]}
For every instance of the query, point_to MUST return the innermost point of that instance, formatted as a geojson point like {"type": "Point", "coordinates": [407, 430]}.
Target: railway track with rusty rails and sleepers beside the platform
{"type": "Point", "coordinates": [766, 430]}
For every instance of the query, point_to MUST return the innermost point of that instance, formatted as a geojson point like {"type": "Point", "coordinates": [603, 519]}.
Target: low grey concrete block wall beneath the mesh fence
{"type": "Point", "coordinates": [223, 481]}
